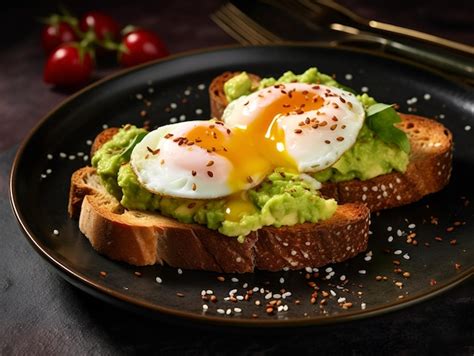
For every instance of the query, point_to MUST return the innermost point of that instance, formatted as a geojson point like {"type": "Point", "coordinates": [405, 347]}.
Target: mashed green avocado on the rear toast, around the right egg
{"type": "Point", "coordinates": [370, 156]}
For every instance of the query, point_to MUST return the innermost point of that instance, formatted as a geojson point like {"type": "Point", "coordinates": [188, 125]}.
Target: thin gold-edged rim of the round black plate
{"type": "Point", "coordinates": [97, 290]}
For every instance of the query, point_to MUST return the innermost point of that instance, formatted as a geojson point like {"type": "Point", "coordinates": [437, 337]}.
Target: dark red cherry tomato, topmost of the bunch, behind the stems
{"type": "Point", "coordinates": [104, 26]}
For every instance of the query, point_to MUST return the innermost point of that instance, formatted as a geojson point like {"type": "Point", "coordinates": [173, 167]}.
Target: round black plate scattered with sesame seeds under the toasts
{"type": "Point", "coordinates": [176, 89]}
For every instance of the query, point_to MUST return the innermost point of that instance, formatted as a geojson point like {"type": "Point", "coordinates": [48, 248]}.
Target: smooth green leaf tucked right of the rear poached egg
{"type": "Point", "coordinates": [381, 119]}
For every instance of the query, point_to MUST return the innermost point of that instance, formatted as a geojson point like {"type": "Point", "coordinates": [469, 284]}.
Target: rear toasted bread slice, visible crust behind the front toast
{"type": "Point", "coordinates": [428, 171]}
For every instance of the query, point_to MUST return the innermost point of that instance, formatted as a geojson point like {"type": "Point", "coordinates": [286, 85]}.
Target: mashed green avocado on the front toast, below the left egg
{"type": "Point", "coordinates": [281, 199]}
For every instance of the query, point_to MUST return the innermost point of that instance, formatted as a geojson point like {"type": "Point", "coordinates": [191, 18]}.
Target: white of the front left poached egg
{"type": "Point", "coordinates": [170, 172]}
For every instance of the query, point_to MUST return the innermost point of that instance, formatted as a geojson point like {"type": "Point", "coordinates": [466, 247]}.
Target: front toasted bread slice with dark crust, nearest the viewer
{"type": "Point", "coordinates": [144, 238]}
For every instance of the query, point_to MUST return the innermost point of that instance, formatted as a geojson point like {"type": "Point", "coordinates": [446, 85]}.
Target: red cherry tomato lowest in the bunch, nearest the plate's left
{"type": "Point", "coordinates": [68, 67]}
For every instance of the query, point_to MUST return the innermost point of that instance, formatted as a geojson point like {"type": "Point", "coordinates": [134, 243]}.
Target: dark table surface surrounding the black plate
{"type": "Point", "coordinates": [40, 313]}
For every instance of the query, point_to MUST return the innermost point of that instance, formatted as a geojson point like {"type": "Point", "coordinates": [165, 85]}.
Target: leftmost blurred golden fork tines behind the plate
{"type": "Point", "coordinates": [241, 27]}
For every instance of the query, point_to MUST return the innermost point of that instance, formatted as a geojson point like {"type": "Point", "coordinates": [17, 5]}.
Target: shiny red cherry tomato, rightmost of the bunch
{"type": "Point", "coordinates": [140, 46]}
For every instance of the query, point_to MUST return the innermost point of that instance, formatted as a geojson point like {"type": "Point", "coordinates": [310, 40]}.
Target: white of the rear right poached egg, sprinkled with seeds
{"type": "Point", "coordinates": [312, 149]}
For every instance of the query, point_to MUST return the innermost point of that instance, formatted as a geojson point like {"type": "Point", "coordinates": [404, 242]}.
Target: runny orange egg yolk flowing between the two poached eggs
{"type": "Point", "coordinates": [254, 150]}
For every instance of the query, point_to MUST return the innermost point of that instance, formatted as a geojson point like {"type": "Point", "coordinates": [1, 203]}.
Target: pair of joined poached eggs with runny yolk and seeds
{"type": "Point", "coordinates": [299, 127]}
